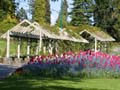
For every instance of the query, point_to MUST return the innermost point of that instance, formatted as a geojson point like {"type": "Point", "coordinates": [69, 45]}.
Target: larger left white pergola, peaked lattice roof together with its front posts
{"type": "Point", "coordinates": [28, 30]}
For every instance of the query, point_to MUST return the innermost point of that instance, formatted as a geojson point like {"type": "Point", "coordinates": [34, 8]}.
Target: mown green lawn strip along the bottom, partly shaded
{"type": "Point", "coordinates": [59, 84]}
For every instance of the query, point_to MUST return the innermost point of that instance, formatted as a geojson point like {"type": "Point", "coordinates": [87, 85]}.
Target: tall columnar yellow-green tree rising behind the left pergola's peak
{"type": "Point", "coordinates": [41, 11]}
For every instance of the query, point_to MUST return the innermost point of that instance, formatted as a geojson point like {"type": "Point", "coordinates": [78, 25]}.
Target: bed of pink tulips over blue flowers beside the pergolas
{"type": "Point", "coordinates": [83, 64]}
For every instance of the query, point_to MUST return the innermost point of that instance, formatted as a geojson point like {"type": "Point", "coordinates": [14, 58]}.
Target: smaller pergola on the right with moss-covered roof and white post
{"type": "Point", "coordinates": [98, 35]}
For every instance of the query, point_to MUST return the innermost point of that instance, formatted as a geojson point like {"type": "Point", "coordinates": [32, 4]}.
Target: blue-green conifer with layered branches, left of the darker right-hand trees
{"type": "Point", "coordinates": [81, 12]}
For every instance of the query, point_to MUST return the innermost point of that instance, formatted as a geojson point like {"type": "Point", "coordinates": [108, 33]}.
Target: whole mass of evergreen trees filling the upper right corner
{"type": "Point", "coordinates": [105, 14]}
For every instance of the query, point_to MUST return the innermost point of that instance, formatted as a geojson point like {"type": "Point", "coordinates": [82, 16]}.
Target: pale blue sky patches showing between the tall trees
{"type": "Point", "coordinates": [54, 7]}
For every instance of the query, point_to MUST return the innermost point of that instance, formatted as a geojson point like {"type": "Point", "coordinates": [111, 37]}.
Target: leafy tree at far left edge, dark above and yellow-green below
{"type": "Point", "coordinates": [7, 14]}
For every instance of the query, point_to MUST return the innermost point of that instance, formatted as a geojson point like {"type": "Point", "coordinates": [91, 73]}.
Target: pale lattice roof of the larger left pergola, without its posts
{"type": "Point", "coordinates": [26, 29]}
